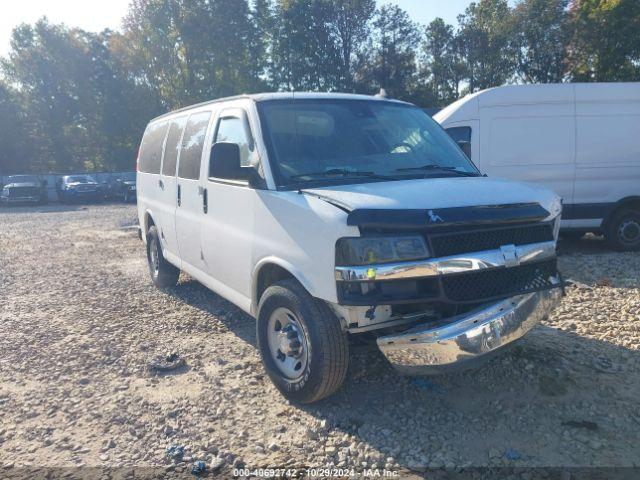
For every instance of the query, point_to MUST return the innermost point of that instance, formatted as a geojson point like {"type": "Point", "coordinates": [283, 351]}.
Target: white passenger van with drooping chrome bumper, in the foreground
{"type": "Point", "coordinates": [327, 216]}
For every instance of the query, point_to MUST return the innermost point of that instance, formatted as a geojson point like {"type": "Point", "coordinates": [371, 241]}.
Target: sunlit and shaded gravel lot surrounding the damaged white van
{"type": "Point", "coordinates": [80, 320]}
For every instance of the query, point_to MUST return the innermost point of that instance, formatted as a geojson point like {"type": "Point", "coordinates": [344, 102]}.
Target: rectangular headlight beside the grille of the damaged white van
{"type": "Point", "coordinates": [370, 250]}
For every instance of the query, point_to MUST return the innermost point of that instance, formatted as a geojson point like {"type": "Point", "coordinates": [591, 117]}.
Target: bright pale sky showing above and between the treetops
{"type": "Point", "coordinates": [96, 15]}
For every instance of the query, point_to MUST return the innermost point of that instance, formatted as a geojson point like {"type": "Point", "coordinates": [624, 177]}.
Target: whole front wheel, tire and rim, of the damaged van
{"type": "Point", "coordinates": [301, 342]}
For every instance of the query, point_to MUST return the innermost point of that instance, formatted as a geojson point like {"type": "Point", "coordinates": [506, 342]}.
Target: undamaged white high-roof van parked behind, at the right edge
{"type": "Point", "coordinates": [580, 139]}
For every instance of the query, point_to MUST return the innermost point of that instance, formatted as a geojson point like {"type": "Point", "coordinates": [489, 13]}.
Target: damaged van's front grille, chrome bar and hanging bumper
{"type": "Point", "coordinates": [484, 287]}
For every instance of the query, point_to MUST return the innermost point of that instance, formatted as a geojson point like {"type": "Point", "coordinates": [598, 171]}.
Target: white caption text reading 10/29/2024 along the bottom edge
{"type": "Point", "coordinates": [311, 472]}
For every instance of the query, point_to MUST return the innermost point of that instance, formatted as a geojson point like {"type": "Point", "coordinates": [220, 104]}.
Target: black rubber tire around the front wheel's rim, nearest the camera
{"type": "Point", "coordinates": [327, 344]}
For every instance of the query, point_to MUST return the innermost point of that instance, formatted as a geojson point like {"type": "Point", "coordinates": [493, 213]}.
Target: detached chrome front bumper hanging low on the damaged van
{"type": "Point", "coordinates": [463, 341]}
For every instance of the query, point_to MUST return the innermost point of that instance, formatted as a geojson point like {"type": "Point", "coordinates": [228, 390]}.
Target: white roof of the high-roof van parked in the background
{"type": "Point", "coordinates": [468, 106]}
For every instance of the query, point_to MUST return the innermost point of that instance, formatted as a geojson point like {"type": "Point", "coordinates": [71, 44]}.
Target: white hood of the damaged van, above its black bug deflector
{"type": "Point", "coordinates": [438, 193]}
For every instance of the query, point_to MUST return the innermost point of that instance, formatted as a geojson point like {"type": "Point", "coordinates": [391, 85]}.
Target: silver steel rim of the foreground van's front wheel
{"type": "Point", "coordinates": [288, 344]}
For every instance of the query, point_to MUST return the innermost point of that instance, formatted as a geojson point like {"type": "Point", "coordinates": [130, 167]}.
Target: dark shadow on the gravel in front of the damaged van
{"type": "Point", "coordinates": [524, 401]}
